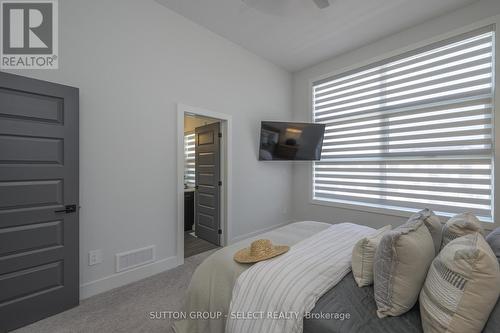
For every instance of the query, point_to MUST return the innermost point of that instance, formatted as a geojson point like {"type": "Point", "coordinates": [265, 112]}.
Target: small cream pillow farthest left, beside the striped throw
{"type": "Point", "coordinates": [363, 255]}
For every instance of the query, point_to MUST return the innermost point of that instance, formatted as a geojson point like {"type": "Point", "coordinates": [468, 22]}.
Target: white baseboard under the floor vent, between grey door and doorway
{"type": "Point", "coordinates": [113, 281]}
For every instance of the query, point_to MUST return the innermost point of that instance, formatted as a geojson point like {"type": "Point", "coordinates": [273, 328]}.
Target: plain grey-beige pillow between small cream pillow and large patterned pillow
{"type": "Point", "coordinates": [401, 262]}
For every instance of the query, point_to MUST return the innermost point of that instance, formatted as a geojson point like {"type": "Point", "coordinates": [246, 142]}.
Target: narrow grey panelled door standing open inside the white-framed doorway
{"type": "Point", "coordinates": [207, 175]}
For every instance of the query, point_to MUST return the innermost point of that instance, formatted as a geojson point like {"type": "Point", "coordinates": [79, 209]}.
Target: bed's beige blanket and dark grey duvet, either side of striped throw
{"type": "Point", "coordinates": [211, 288]}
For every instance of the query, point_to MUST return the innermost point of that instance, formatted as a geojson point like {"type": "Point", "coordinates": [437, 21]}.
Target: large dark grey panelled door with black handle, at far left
{"type": "Point", "coordinates": [38, 200]}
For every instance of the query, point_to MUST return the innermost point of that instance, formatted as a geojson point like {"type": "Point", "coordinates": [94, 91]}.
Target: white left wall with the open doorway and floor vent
{"type": "Point", "coordinates": [133, 61]}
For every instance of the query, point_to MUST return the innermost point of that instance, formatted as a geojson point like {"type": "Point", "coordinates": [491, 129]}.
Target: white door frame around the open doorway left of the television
{"type": "Point", "coordinates": [226, 172]}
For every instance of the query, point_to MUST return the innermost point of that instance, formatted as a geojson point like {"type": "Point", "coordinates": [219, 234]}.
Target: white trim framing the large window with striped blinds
{"type": "Point", "coordinates": [496, 135]}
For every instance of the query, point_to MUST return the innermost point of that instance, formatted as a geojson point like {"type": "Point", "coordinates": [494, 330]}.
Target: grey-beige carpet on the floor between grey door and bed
{"type": "Point", "coordinates": [126, 309]}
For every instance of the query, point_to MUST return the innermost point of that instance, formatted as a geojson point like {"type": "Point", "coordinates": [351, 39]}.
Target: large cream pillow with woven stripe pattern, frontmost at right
{"type": "Point", "coordinates": [461, 288]}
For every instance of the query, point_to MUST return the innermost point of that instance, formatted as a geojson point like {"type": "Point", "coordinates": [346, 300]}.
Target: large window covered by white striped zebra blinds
{"type": "Point", "coordinates": [412, 131]}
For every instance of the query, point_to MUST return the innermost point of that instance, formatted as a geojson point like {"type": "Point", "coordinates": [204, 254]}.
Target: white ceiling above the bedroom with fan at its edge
{"type": "Point", "coordinates": [295, 34]}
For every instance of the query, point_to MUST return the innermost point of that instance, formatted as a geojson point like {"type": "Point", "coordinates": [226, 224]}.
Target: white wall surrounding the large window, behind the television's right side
{"type": "Point", "coordinates": [405, 40]}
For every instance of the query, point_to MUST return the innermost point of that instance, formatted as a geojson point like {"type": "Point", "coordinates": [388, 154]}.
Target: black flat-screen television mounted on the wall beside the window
{"type": "Point", "coordinates": [290, 141]}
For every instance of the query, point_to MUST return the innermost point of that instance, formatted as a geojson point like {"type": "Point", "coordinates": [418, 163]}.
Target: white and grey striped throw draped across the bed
{"type": "Point", "coordinates": [274, 295]}
